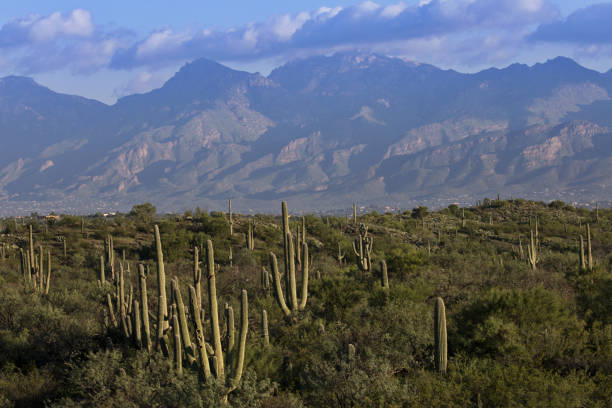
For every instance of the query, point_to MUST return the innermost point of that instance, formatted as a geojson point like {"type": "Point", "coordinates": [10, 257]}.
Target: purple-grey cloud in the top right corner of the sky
{"type": "Point", "coordinates": [590, 25]}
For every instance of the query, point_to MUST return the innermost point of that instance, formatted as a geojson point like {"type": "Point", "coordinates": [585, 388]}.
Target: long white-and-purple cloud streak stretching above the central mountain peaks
{"type": "Point", "coordinates": [367, 24]}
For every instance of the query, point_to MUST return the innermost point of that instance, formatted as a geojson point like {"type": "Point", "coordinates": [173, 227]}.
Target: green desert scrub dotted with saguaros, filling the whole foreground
{"type": "Point", "coordinates": [505, 303]}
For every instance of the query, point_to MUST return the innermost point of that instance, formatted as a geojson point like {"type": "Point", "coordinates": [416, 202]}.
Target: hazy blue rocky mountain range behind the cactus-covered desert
{"type": "Point", "coordinates": [319, 132]}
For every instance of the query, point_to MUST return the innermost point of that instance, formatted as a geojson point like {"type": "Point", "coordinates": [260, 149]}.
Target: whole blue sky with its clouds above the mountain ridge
{"type": "Point", "coordinates": [107, 49]}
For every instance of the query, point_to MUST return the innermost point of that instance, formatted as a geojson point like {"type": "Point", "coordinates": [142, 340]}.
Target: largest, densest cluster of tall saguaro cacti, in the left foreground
{"type": "Point", "coordinates": [172, 330]}
